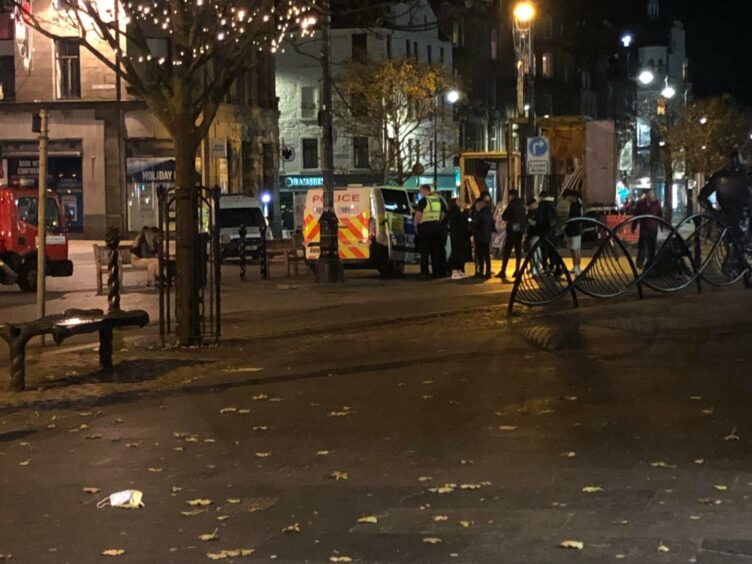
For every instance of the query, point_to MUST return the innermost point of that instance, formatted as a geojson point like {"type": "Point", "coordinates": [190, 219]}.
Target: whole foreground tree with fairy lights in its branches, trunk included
{"type": "Point", "coordinates": [181, 57]}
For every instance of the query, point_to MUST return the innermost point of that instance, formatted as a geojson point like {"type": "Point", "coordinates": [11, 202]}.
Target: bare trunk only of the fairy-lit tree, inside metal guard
{"type": "Point", "coordinates": [187, 240]}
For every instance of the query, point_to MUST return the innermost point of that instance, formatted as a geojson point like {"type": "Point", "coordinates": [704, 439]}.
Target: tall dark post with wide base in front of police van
{"type": "Point", "coordinates": [329, 266]}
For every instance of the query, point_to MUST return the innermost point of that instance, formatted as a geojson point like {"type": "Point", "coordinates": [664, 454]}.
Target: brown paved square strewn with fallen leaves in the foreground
{"type": "Point", "coordinates": [449, 434]}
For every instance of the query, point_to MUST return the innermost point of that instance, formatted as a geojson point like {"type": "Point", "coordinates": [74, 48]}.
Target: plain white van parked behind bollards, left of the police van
{"type": "Point", "coordinates": [236, 210]}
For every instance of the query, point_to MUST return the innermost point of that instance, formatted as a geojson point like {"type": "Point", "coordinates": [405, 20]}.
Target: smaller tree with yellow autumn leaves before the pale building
{"type": "Point", "coordinates": [396, 104]}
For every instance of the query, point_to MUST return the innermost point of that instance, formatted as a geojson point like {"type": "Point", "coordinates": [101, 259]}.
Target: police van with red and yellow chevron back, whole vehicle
{"type": "Point", "coordinates": [375, 227]}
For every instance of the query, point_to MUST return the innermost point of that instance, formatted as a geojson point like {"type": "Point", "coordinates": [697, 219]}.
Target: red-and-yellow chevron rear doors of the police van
{"type": "Point", "coordinates": [353, 209]}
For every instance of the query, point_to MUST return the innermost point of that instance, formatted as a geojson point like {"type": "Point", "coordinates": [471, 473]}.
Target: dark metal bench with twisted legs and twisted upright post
{"type": "Point", "coordinates": [74, 322]}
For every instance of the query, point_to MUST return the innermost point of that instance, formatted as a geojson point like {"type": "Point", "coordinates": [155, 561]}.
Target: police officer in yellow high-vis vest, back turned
{"type": "Point", "coordinates": [428, 220]}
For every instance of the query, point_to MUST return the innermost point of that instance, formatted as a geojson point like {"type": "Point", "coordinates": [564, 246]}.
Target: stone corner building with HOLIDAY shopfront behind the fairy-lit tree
{"type": "Point", "coordinates": [107, 153]}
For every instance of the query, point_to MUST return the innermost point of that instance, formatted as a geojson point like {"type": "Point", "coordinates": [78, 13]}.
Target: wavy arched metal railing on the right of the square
{"type": "Point", "coordinates": [699, 249]}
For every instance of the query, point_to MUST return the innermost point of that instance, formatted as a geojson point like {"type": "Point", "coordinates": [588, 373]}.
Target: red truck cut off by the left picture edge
{"type": "Point", "coordinates": [18, 237]}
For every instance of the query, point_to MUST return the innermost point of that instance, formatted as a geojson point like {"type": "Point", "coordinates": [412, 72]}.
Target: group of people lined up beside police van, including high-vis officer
{"type": "Point", "coordinates": [472, 233]}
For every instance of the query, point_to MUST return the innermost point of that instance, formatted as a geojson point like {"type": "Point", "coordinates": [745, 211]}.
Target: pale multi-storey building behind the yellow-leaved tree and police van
{"type": "Point", "coordinates": [400, 32]}
